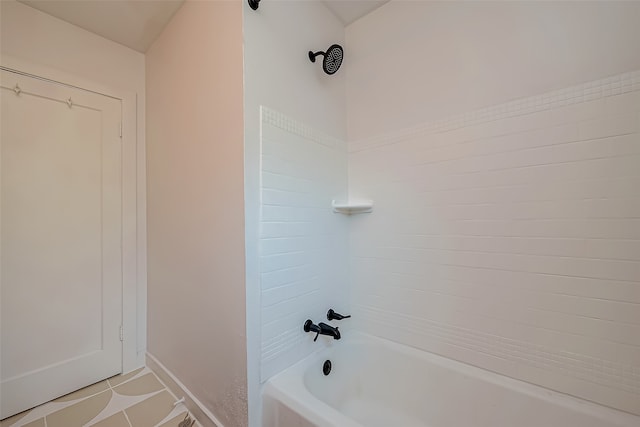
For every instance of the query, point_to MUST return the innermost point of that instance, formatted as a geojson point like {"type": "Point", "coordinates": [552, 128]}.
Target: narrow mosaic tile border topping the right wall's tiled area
{"type": "Point", "coordinates": [597, 89]}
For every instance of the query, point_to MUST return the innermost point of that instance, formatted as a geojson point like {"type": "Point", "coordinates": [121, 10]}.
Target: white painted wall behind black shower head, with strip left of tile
{"type": "Point", "coordinates": [279, 75]}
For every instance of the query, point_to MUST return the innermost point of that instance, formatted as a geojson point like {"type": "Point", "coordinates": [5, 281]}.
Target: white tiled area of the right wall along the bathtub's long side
{"type": "Point", "coordinates": [509, 238]}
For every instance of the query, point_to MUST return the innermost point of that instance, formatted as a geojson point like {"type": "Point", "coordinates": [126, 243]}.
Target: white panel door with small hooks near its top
{"type": "Point", "coordinates": [60, 240]}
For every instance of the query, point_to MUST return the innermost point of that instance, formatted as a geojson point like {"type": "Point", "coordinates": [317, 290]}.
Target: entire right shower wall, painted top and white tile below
{"type": "Point", "coordinates": [500, 144]}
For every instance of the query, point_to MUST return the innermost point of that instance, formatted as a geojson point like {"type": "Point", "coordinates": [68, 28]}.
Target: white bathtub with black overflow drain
{"type": "Point", "coordinates": [378, 383]}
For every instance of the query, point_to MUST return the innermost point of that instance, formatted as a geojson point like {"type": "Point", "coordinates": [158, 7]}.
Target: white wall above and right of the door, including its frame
{"type": "Point", "coordinates": [37, 43]}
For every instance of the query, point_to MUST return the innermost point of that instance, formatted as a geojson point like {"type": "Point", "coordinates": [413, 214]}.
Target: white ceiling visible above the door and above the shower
{"type": "Point", "coordinates": [137, 23]}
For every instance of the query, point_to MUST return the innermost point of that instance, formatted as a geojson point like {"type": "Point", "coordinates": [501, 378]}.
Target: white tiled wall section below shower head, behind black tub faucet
{"type": "Point", "coordinates": [303, 244]}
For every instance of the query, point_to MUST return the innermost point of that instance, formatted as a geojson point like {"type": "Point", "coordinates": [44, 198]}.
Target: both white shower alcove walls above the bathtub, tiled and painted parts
{"type": "Point", "coordinates": [500, 150]}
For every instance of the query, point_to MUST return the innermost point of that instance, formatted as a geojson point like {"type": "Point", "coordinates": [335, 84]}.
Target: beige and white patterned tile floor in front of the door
{"type": "Point", "coordinates": [138, 399]}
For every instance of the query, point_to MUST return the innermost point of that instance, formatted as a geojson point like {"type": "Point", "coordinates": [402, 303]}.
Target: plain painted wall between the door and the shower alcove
{"type": "Point", "coordinates": [196, 209]}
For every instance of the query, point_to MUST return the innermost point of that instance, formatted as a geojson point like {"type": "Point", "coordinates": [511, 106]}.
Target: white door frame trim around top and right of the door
{"type": "Point", "coordinates": [134, 271]}
